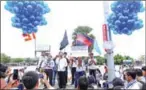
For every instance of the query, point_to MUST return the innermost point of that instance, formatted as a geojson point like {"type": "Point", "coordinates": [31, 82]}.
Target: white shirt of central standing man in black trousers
{"type": "Point", "coordinates": [62, 63]}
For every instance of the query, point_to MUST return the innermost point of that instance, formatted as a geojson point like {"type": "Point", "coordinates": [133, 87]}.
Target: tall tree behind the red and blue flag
{"type": "Point", "coordinates": [83, 30]}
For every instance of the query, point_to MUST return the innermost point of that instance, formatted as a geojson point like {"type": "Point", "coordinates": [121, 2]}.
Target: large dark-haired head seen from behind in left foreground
{"type": "Point", "coordinates": [30, 79]}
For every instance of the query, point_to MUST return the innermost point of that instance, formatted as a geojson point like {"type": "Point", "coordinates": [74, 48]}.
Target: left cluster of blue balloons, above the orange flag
{"type": "Point", "coordinates": [28, 14]}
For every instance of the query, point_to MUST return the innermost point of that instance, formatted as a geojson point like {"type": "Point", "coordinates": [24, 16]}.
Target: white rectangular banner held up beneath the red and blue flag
{"type": "Point", "coordinates": [77, 51]}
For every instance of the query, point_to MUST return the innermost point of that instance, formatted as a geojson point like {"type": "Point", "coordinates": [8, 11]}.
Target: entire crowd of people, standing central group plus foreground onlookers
{"type": "Point", "coordinates": [50, 70]}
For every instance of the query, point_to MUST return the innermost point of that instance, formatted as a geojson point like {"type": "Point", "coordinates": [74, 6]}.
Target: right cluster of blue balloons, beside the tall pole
{"type": "Point", "coordinates": [124, 17]}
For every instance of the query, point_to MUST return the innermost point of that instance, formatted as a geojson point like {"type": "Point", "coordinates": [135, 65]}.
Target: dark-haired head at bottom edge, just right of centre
{"type": "Point", "coordinates": [83, 83]}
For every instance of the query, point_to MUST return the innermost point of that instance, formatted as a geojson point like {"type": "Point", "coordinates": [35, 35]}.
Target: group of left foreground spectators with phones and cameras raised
{"type": "Point", "coordinates": [29, 80]}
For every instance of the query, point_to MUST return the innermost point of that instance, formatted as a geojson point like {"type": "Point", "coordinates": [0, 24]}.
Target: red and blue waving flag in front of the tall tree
{"type": "Point", "coordinates": [84, 39]}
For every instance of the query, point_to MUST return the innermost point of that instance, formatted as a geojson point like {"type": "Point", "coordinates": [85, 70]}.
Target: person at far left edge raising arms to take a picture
{"type": "Point", "coordinates": [4, 73]}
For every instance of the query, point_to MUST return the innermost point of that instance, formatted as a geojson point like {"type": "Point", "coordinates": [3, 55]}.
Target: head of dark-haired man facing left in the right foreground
{"type": "Point", "coordinates": [130, 75]}
